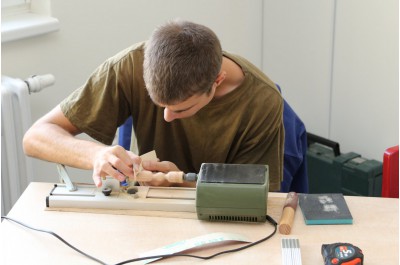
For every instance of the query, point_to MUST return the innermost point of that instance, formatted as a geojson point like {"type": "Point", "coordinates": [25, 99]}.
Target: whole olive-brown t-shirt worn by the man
{"type": "Point", "coordinates": [244, 126]}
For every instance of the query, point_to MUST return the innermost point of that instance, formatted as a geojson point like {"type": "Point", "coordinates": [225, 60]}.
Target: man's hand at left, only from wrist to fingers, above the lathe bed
{"type": "Point", "coordinates": [116, 162]}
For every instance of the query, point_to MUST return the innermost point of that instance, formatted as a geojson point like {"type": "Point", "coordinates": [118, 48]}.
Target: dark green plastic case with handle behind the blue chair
{"type": "Point", "coordinates": [329, 171]}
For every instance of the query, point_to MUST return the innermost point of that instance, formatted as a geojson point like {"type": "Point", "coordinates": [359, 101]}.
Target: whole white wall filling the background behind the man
{"type": "Point", "coordinates": [337, 62]}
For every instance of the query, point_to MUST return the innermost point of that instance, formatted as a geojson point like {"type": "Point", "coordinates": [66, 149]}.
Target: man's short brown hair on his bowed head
{"type": "Point", "coordinates": [181, 59]}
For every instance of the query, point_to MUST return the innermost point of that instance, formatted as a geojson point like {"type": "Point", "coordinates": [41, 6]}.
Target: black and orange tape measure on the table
{"type": "Point", "coordinates": [342, 254]}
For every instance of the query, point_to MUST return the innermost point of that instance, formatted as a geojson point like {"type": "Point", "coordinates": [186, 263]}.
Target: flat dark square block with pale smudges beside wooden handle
{"type": "Point", "coordinates": [327, 208]}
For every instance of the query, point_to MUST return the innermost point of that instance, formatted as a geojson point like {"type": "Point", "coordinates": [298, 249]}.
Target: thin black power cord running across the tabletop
{"type": "Point", "coordinates": [269, 219]}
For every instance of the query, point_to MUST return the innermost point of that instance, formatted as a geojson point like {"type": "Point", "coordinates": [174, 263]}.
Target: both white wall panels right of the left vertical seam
{"type": "Point", "coordinates": [337, 63]}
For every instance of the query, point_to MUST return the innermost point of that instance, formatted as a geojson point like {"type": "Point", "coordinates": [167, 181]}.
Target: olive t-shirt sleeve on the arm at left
{"type": "Point", "coordinates": [100, 106]}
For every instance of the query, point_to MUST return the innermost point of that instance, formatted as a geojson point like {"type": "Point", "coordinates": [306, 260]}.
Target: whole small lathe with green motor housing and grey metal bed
{"type": "Point", "coordinates": [224, 192]}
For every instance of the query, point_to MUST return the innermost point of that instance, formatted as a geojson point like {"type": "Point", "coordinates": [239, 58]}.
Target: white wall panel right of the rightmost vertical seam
{"type": "Point", "coordinates": [365, 88]}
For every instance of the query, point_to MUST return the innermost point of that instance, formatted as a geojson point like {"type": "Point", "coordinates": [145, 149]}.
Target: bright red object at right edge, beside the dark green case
{"type": "Point", "coordinates": [390, 174]}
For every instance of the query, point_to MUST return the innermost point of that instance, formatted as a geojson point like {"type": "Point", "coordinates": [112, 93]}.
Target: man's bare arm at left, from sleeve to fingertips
{"type": "Point", "coordinates": [52, 138]}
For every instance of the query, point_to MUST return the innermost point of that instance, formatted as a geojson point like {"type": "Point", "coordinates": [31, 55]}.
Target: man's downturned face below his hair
{"type": "Point", "coordinates": [188, 107]}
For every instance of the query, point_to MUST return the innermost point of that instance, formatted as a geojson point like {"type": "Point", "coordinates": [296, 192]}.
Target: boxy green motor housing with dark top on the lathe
{"type": "Point", "coordinates": [232, 192]}
